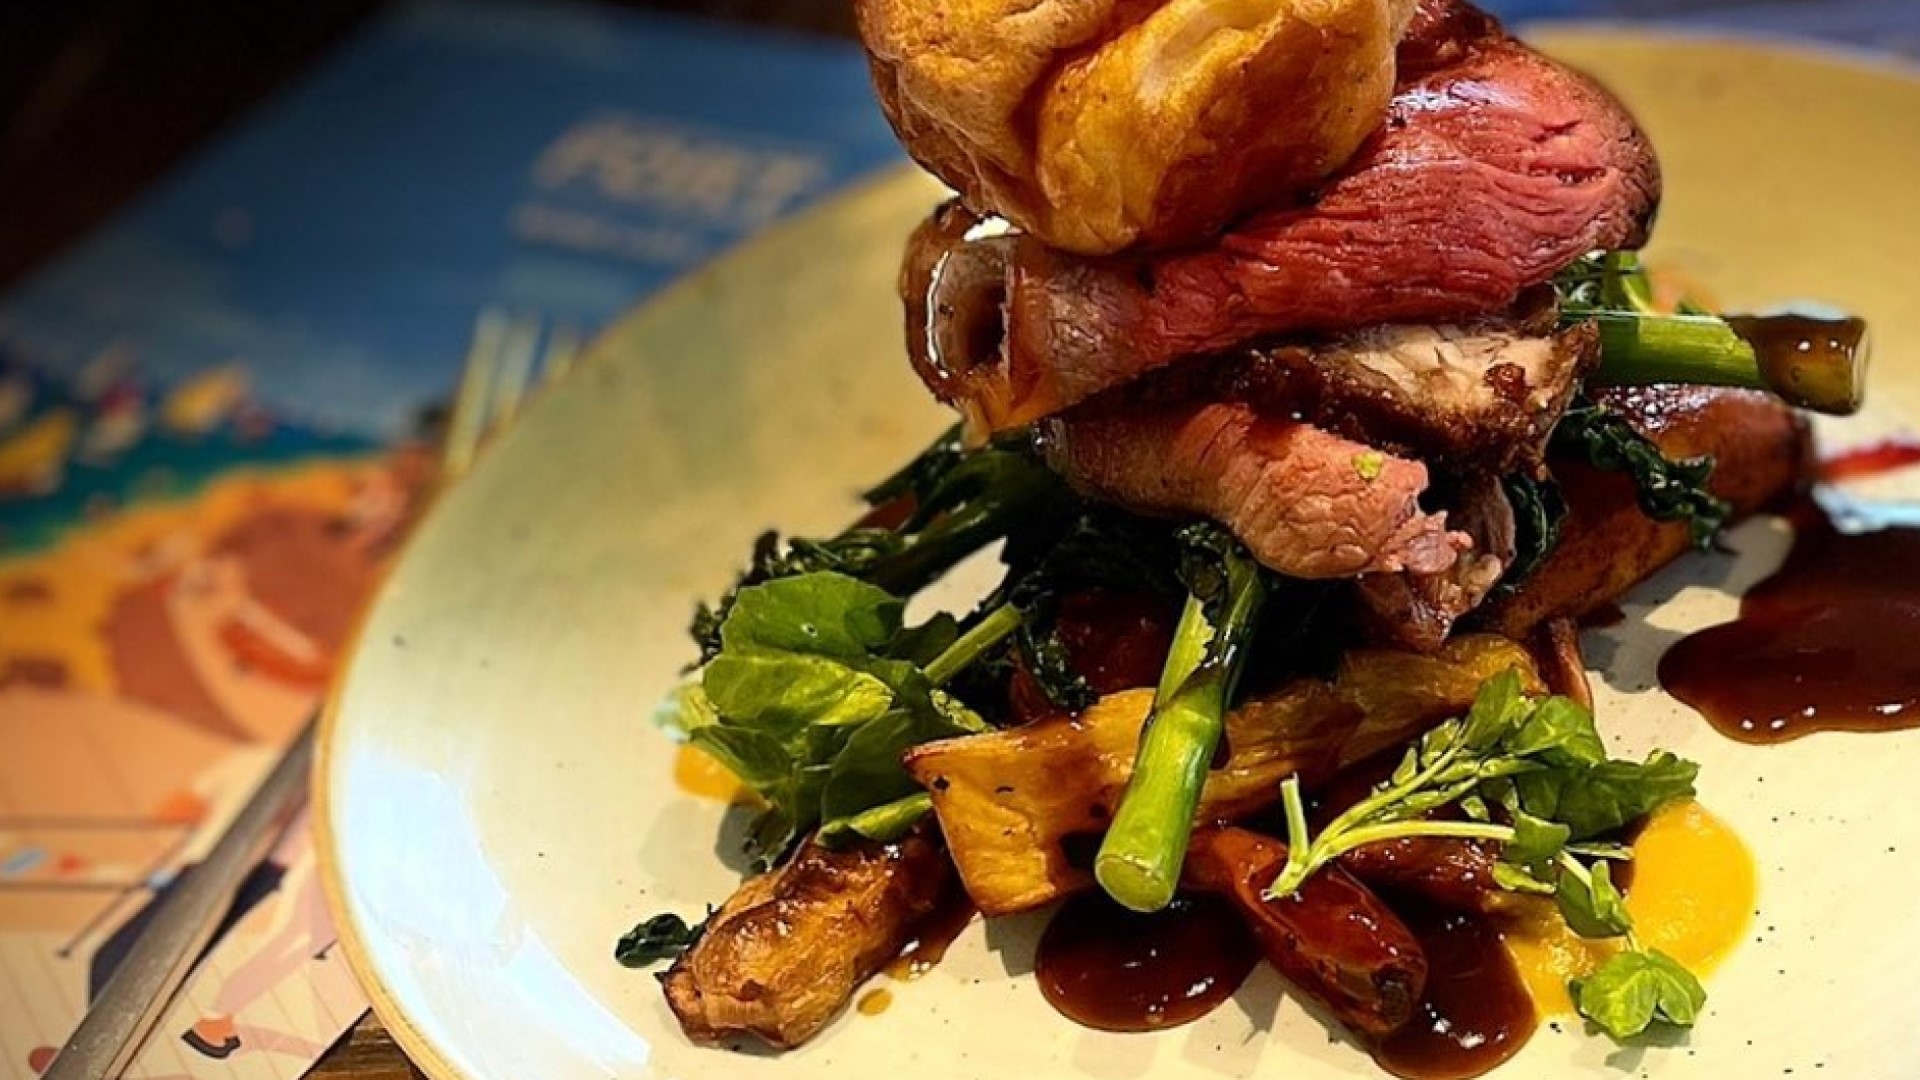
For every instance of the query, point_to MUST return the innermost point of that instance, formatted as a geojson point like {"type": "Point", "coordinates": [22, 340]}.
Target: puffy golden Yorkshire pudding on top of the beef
{"type": "Point", "coordinates": [1101, 126]}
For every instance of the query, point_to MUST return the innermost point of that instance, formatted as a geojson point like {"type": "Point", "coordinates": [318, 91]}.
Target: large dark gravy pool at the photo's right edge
{"type": "Point", "coordinates": [1825, 645]}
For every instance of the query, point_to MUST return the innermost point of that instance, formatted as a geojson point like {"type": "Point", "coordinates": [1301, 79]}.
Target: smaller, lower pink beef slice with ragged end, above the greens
{"type": "Point", "coordinates": [1307, 503]}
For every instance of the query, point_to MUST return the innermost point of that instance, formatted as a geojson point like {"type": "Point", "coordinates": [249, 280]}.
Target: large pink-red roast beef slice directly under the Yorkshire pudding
{"type": "Point", "coordinates": [1493, 174]}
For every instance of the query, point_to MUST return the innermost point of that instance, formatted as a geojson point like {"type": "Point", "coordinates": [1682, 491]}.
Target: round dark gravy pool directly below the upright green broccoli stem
{"type": "Point", "coordinates": [1118, 971]}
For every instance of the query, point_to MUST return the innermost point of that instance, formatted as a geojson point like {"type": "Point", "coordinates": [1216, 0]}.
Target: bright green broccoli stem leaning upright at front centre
{"type": "Point", "coordinates": [1141, 856]}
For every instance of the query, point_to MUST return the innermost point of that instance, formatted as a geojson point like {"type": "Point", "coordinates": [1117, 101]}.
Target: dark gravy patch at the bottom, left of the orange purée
{"type": "Point", "coordinates": [1476, 1014]}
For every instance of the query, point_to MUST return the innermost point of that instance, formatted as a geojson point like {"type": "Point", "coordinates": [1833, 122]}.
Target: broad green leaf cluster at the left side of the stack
{"type": "Point", "coordinates": [819, 691]}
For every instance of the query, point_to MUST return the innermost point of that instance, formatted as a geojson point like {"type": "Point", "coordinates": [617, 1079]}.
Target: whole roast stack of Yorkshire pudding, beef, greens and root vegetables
{"type": "Point", "coordinates": [1310, 393]}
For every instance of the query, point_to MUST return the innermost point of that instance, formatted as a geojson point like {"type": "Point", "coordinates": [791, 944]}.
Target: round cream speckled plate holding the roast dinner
{"type": "Point", "coordinates": [498, 808]}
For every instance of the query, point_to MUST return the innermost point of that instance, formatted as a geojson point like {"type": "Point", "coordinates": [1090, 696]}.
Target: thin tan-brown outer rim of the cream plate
{"type": "Point", "coordinates": [421, 1050]}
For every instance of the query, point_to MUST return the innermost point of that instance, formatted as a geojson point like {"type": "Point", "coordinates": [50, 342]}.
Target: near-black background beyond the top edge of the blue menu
{"type": "Point", "coordinates": [99, 97]}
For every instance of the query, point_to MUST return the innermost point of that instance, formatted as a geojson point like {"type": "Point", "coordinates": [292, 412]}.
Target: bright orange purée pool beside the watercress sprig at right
{"type": "Point", "coordinates": [1692, 896]}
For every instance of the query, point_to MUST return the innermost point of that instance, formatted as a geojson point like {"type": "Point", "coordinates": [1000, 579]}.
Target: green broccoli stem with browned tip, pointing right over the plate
{"type": "Point", "coordinates": [1641, 349]}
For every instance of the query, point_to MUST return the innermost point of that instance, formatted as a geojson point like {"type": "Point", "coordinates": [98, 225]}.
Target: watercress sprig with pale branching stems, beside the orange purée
{"type": "Point", "coordinates": [1531, 775]}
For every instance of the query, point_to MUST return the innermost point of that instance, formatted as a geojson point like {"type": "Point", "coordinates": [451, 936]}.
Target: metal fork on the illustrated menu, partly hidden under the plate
{"type": "Point", "coordinates": [500, 370]}
